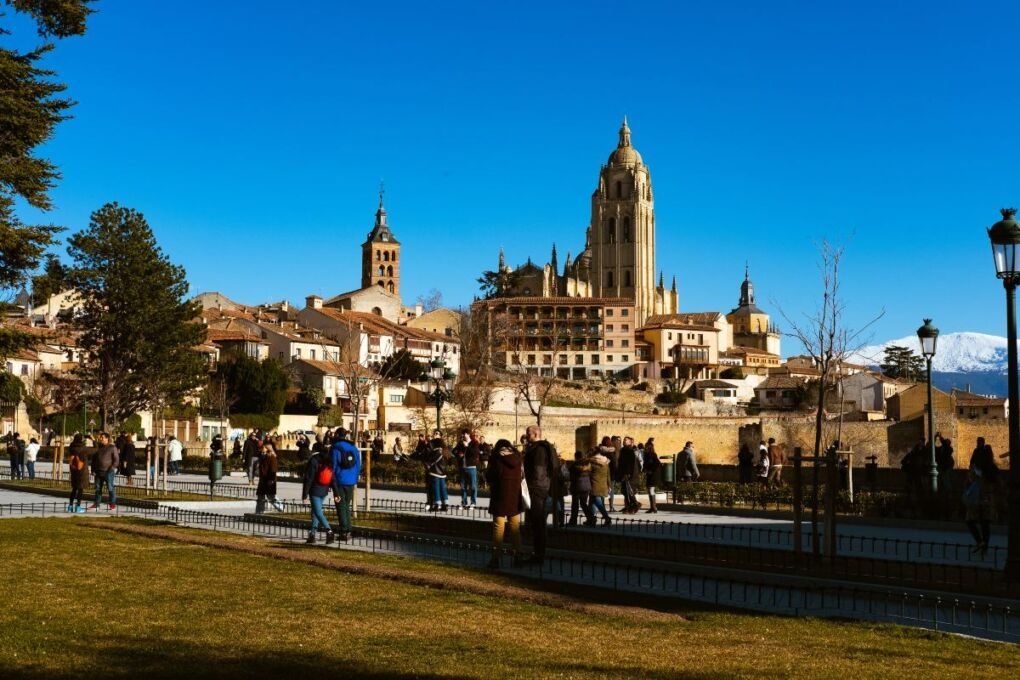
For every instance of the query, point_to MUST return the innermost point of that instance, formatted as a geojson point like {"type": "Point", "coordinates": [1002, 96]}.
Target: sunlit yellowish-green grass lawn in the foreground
{"type": "Point", "coordinates": [87, 599]}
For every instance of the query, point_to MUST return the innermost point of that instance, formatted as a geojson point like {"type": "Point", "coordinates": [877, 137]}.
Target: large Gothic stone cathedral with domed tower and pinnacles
{"type": "Point", "coordinates": [619, 258]}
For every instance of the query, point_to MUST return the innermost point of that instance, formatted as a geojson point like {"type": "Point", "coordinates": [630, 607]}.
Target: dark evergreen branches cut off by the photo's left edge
{"type": "Point", "coordinates": [30, 111]}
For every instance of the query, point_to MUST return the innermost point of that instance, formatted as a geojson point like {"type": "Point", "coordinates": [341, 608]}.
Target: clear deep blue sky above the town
{"type": "Point", "coordinates": [253, 137]}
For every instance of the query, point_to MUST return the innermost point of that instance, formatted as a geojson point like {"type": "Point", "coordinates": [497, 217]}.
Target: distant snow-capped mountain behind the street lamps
{"type": "Point", "coordinates": [962, 360]}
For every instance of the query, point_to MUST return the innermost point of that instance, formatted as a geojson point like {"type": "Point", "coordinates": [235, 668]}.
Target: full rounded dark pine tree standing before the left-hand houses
{"type": "Point", "coordinates": [138, 331]}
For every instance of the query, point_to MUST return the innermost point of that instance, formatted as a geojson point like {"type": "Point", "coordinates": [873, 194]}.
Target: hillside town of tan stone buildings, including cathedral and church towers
{"type": "Point", "coordinates": [578, 347]}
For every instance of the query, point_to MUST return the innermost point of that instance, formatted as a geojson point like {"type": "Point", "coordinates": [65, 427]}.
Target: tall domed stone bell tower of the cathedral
{"type": "Point", "coordinates": [623, 238]}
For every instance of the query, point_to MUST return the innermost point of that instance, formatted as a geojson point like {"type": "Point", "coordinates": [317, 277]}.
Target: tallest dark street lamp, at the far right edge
{"type": "Point", "coordinates": [1005, 237]}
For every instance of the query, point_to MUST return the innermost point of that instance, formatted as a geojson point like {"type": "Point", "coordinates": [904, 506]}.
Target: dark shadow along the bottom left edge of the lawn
{"type": "Point", "coordinates": [151, 658]}
